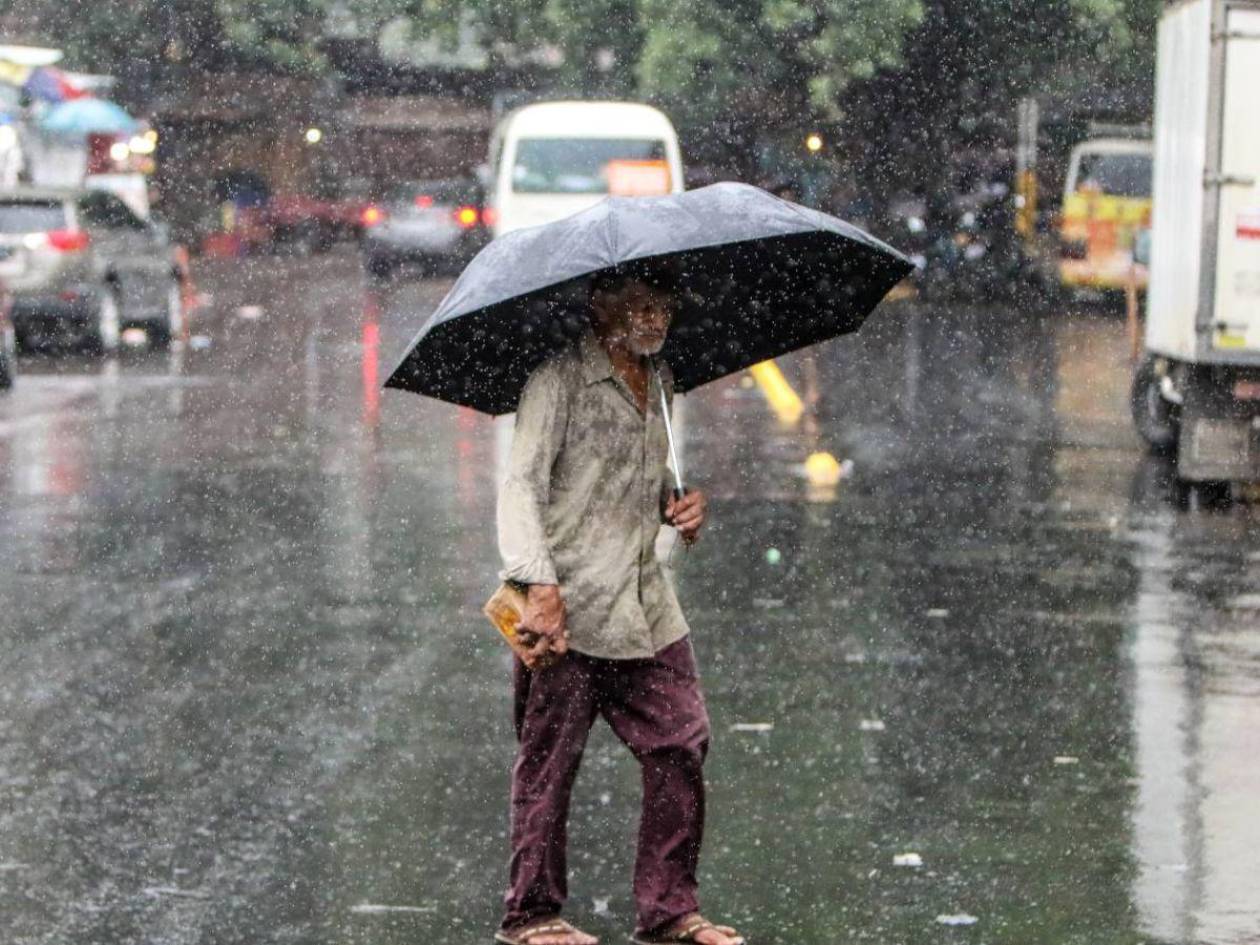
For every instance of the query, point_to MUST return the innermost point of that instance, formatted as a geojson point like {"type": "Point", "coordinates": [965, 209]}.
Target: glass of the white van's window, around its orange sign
{"type": "Point", "coordinates": [576, 166]}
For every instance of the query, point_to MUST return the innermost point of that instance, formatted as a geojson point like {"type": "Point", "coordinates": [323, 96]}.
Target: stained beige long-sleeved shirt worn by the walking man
{"type": "Point", "coordinates": [583, 503]}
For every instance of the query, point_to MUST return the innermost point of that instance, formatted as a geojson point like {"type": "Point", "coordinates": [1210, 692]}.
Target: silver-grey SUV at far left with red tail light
{"type": "Point", "coordinates": [83, 268]}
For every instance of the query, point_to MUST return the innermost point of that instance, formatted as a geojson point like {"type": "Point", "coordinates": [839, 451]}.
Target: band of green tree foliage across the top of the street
{"type": "Point", "coordinates": [909, 74]}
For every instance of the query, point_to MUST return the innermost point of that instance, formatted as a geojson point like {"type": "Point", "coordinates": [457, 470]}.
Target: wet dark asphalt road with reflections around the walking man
{"type": "Point", "coordinates": [246, 692]}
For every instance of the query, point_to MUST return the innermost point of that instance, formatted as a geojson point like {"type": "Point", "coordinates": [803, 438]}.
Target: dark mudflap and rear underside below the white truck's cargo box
{"type": "Point", "coordinates": [1220, 427]}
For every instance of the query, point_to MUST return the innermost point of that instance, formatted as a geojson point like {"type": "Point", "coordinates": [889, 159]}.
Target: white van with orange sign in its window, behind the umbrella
{"type": "Point", "coordinates": [555, 159]}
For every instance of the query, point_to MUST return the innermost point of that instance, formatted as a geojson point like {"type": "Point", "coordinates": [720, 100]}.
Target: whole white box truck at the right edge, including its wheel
{"type": "Point", "coordinates": [1196, 392]}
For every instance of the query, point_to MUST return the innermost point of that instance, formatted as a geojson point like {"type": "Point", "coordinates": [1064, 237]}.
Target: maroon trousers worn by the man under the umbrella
{"type": "Point", "coordinates": [655, 706]}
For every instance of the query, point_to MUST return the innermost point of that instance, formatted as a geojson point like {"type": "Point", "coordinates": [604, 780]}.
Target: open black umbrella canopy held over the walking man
{"type": "Point", "coordinates": [758, 278]}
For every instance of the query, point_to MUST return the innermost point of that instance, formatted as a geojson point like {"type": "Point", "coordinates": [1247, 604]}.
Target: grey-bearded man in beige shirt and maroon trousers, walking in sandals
{"type": "Point", "coordinates": [579, 515]}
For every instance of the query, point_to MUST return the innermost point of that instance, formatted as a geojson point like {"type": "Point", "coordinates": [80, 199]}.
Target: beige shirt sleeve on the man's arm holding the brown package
{"type": "Point", "coordinates": [524, 497]}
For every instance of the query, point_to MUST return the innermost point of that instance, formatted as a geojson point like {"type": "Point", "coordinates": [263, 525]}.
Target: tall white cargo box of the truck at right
{"type": "Point", "coordinates": [1205, 269]}
